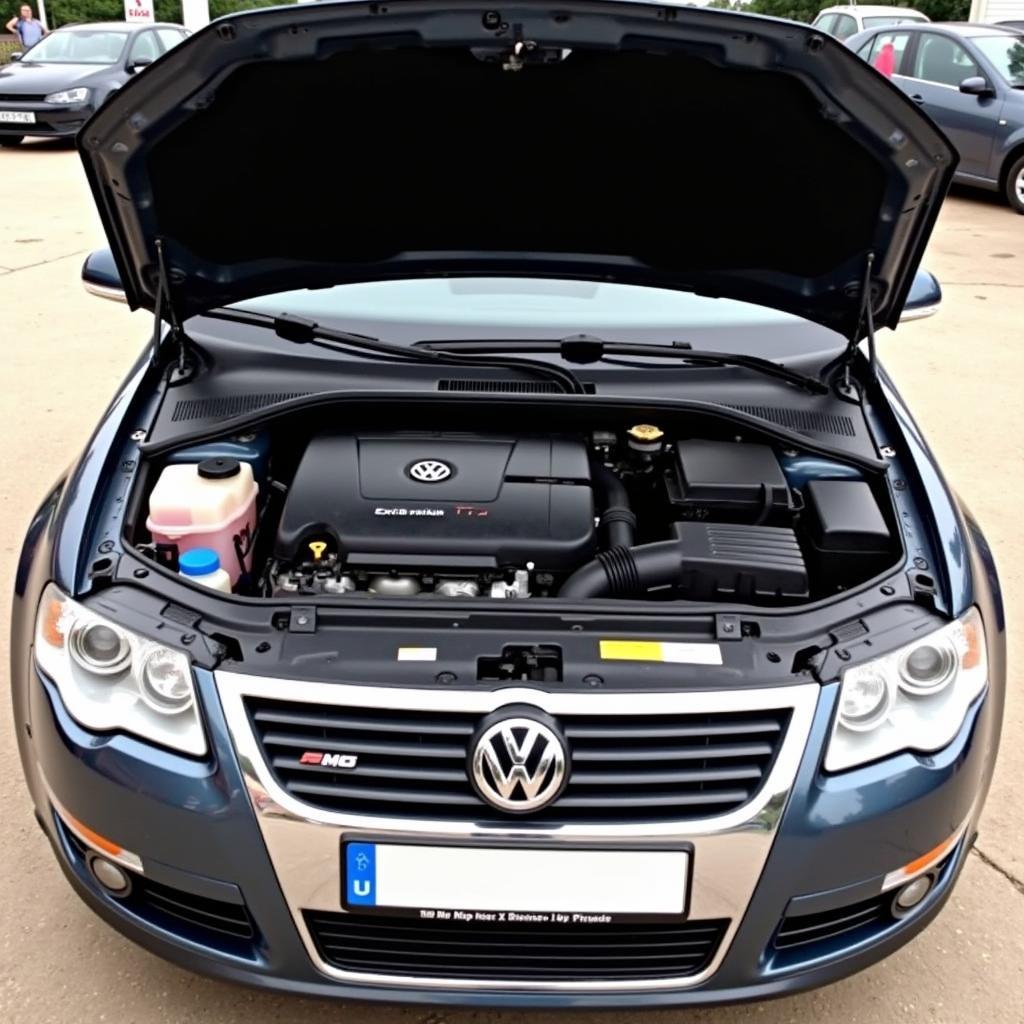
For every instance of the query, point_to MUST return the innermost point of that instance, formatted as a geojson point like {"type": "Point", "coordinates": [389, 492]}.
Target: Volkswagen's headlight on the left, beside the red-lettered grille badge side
{"type": "Point", "coordinates": [111, 678]}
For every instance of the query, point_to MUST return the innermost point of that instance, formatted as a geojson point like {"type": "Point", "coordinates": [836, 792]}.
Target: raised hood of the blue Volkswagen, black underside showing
{"type": "Point", "coordinates": [322, 144]}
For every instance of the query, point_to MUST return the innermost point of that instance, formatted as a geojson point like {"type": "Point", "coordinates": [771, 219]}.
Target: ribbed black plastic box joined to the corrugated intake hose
{"type": "Point", "coordinates": [729, 561]}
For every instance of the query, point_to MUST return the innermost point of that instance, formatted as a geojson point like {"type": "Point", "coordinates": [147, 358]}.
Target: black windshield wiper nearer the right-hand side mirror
{"type": "Point", "coordinates": [585, 350]}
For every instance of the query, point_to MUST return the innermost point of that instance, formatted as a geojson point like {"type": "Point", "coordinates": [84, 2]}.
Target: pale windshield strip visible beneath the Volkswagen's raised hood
{"type": "Point", "coordinates": [483, 309]}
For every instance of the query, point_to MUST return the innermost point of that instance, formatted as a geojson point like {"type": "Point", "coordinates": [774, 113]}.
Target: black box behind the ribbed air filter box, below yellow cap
{"type": "Point", "coordinates": [745, 482]}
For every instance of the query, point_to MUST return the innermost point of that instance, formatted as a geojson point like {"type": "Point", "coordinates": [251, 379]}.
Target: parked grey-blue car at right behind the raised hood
{"type": "Point", "coordinates": [970, 80]}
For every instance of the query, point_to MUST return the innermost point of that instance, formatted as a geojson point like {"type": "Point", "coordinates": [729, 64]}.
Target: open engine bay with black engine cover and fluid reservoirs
{"type": "Point", "coordinates": [637, 513]}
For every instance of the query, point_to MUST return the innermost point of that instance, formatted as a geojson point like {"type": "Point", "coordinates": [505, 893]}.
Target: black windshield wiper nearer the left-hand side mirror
{"type": "Point", "coordinates": [302, 331]}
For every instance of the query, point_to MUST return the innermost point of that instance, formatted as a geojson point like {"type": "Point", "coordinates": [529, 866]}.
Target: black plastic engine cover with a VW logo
{"type": "Point", "coordinates": [442, 502]}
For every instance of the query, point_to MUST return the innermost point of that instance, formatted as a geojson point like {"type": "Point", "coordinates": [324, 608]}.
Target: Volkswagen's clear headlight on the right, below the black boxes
{"type": "Point", "coordinates": [915, 699]}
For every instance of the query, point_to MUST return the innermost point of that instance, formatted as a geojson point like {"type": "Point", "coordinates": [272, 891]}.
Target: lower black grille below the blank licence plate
{"type": "Point", "coordinates": [510, 953]}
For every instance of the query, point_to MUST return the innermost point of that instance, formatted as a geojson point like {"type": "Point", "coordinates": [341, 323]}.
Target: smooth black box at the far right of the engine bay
{"type": "Point", "coordinates": [843, 517]}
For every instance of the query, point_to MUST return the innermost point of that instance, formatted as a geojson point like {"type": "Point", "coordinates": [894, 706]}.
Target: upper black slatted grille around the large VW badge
{"type": "Point", "coordinates": [413, 764]}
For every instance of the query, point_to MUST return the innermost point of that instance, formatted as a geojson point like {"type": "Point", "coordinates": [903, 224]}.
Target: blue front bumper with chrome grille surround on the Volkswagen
{"type": "Point", "coordinates": [808, 844]}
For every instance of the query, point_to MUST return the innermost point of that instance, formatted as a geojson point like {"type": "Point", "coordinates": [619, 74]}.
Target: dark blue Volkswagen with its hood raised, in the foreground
{"type": "Point", "coordinates": [508, 577]}
